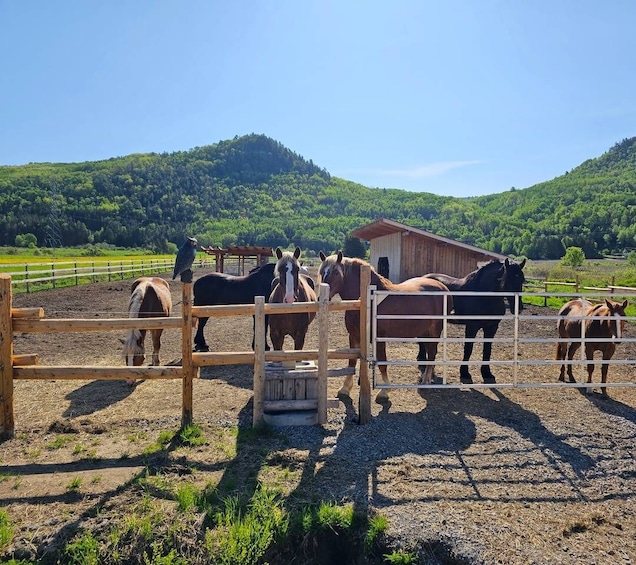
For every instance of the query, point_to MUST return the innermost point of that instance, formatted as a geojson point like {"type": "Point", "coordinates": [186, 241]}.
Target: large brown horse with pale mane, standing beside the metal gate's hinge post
{"type": "Point", "coordinates": [342, 274]}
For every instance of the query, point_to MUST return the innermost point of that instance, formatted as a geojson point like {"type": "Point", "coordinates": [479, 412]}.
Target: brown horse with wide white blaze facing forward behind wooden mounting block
{"type": "Point", "coordinates": [290, 285]}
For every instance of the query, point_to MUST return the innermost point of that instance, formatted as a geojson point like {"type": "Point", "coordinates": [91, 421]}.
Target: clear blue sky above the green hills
{"type": "Point", "coordinates": [453, 97]}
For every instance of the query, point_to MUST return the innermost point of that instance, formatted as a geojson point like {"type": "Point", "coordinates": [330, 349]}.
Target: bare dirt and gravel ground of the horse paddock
{"type": "Point", "coordinates": [489, 476]}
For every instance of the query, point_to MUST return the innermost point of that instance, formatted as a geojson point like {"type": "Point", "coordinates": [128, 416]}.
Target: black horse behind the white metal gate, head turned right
{"type": "Point", "coordinates": [495, 276]}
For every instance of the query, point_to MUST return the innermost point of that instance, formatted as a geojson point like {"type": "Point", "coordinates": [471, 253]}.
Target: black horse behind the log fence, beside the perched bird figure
{"type": "Point", "coordinates": [220, 288]}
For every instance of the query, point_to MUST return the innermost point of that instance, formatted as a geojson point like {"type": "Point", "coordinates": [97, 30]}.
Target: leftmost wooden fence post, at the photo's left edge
{"type": "Point", "coordinates": [7, 423]}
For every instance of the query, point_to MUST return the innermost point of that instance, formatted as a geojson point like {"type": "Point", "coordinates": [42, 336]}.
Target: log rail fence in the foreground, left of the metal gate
{"type": "Point", "coordinates": [26, 367]}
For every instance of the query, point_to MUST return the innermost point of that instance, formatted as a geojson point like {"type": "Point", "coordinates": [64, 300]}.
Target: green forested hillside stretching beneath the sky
{"type": "Point", "coordinates": [253, 191]}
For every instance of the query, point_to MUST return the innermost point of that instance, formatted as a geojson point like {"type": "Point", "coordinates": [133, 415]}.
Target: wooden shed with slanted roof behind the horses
{"type": "Point", "coordinates": [400, 252]}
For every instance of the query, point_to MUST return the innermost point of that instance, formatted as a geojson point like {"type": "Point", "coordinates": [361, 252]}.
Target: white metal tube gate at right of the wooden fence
{"type": "Point", "coordinates": [511, 334]}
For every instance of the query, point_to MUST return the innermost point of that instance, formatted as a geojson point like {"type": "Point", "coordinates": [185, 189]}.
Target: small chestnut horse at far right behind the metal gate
{"type": "Point", "coordinates": [609, 328]}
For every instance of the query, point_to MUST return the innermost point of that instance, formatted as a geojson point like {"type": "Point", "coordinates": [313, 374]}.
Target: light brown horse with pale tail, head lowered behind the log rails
{"type": "Point", "coordinates": [150, 298]}
